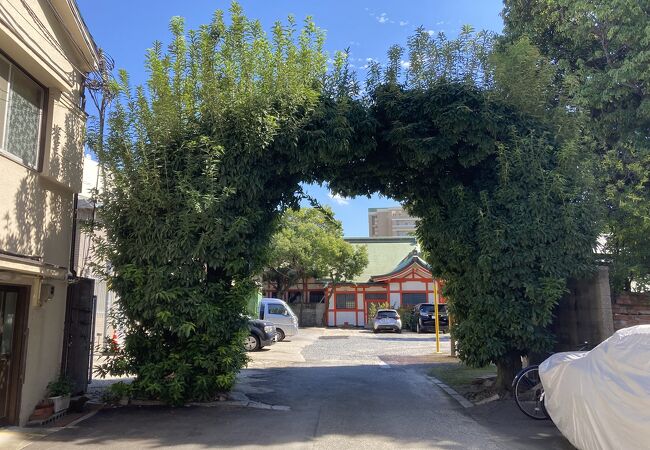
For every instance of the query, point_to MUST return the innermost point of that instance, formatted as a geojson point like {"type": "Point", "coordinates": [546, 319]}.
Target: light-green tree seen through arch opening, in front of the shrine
{"type": "Point", "coordinates": [309, 243]}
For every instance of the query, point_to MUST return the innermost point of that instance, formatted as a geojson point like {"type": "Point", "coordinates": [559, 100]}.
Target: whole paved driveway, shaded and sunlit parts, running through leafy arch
{"type": "Point", "coordinates": [325, 389]}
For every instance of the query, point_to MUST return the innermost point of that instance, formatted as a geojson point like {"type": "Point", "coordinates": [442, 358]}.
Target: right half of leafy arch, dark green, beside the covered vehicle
{"type": "Point", "coordinates": [506, 203]}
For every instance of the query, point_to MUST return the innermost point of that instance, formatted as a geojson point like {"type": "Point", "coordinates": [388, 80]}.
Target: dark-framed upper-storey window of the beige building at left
{"type": "Point", "coordinates": [21, 111]}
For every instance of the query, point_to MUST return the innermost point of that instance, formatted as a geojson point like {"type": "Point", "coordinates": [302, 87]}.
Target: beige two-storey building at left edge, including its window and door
{"type": "Point", "coordinates": [45, 53]}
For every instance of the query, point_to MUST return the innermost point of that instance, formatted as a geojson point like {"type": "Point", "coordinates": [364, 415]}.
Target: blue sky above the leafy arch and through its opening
{"type": "Point", "coordinates": [125, 29]}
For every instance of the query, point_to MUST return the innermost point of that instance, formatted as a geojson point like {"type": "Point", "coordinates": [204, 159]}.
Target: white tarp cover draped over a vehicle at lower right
{"type": "Point", "coordinates": [601, 399]}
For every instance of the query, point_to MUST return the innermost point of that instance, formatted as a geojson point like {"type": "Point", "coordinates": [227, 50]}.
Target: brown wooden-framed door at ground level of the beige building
{"type": "Point", "coordinates": [13, 308]}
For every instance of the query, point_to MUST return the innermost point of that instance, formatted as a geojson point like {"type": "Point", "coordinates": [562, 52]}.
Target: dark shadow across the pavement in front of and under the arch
{"type": "Point", "coordinates": [331, 407]}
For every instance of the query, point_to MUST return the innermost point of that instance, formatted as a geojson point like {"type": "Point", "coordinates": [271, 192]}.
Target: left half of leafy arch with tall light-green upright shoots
{"type": "Point", "coordinates": [197, 175]}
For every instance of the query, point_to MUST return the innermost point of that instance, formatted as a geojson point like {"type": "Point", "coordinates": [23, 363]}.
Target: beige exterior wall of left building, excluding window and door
{"type": "Point", "coordinates": [37, 203]}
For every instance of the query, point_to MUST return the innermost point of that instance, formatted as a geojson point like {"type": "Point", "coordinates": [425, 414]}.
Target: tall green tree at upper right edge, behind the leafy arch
{"type": "Point", "coordinates": [601, 52]}
